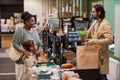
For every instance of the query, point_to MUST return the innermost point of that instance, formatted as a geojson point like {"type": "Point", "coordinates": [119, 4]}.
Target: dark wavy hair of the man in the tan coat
{"type": "Point", "coordinates": [99, 8]}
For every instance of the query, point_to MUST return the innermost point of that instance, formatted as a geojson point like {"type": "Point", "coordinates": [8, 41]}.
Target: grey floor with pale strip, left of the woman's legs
{"type": "Point", "coordinates": [7, 67]}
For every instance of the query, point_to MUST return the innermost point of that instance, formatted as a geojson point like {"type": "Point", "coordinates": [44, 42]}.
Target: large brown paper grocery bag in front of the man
{"type": "Point", "coordinates": [87, 57]}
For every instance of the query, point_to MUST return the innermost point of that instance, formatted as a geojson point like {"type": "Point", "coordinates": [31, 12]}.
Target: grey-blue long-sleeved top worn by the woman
{"type": "Point", "coordinates": [18, 37]}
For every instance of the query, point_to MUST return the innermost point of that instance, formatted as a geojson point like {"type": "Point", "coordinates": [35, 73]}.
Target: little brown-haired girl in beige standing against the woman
{"type": "Point", "coordinates": [29, 62]}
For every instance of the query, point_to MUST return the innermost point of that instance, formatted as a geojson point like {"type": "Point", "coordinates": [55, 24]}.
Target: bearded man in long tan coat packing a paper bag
{"type": "Point", "coordinates": [100, 33]}
